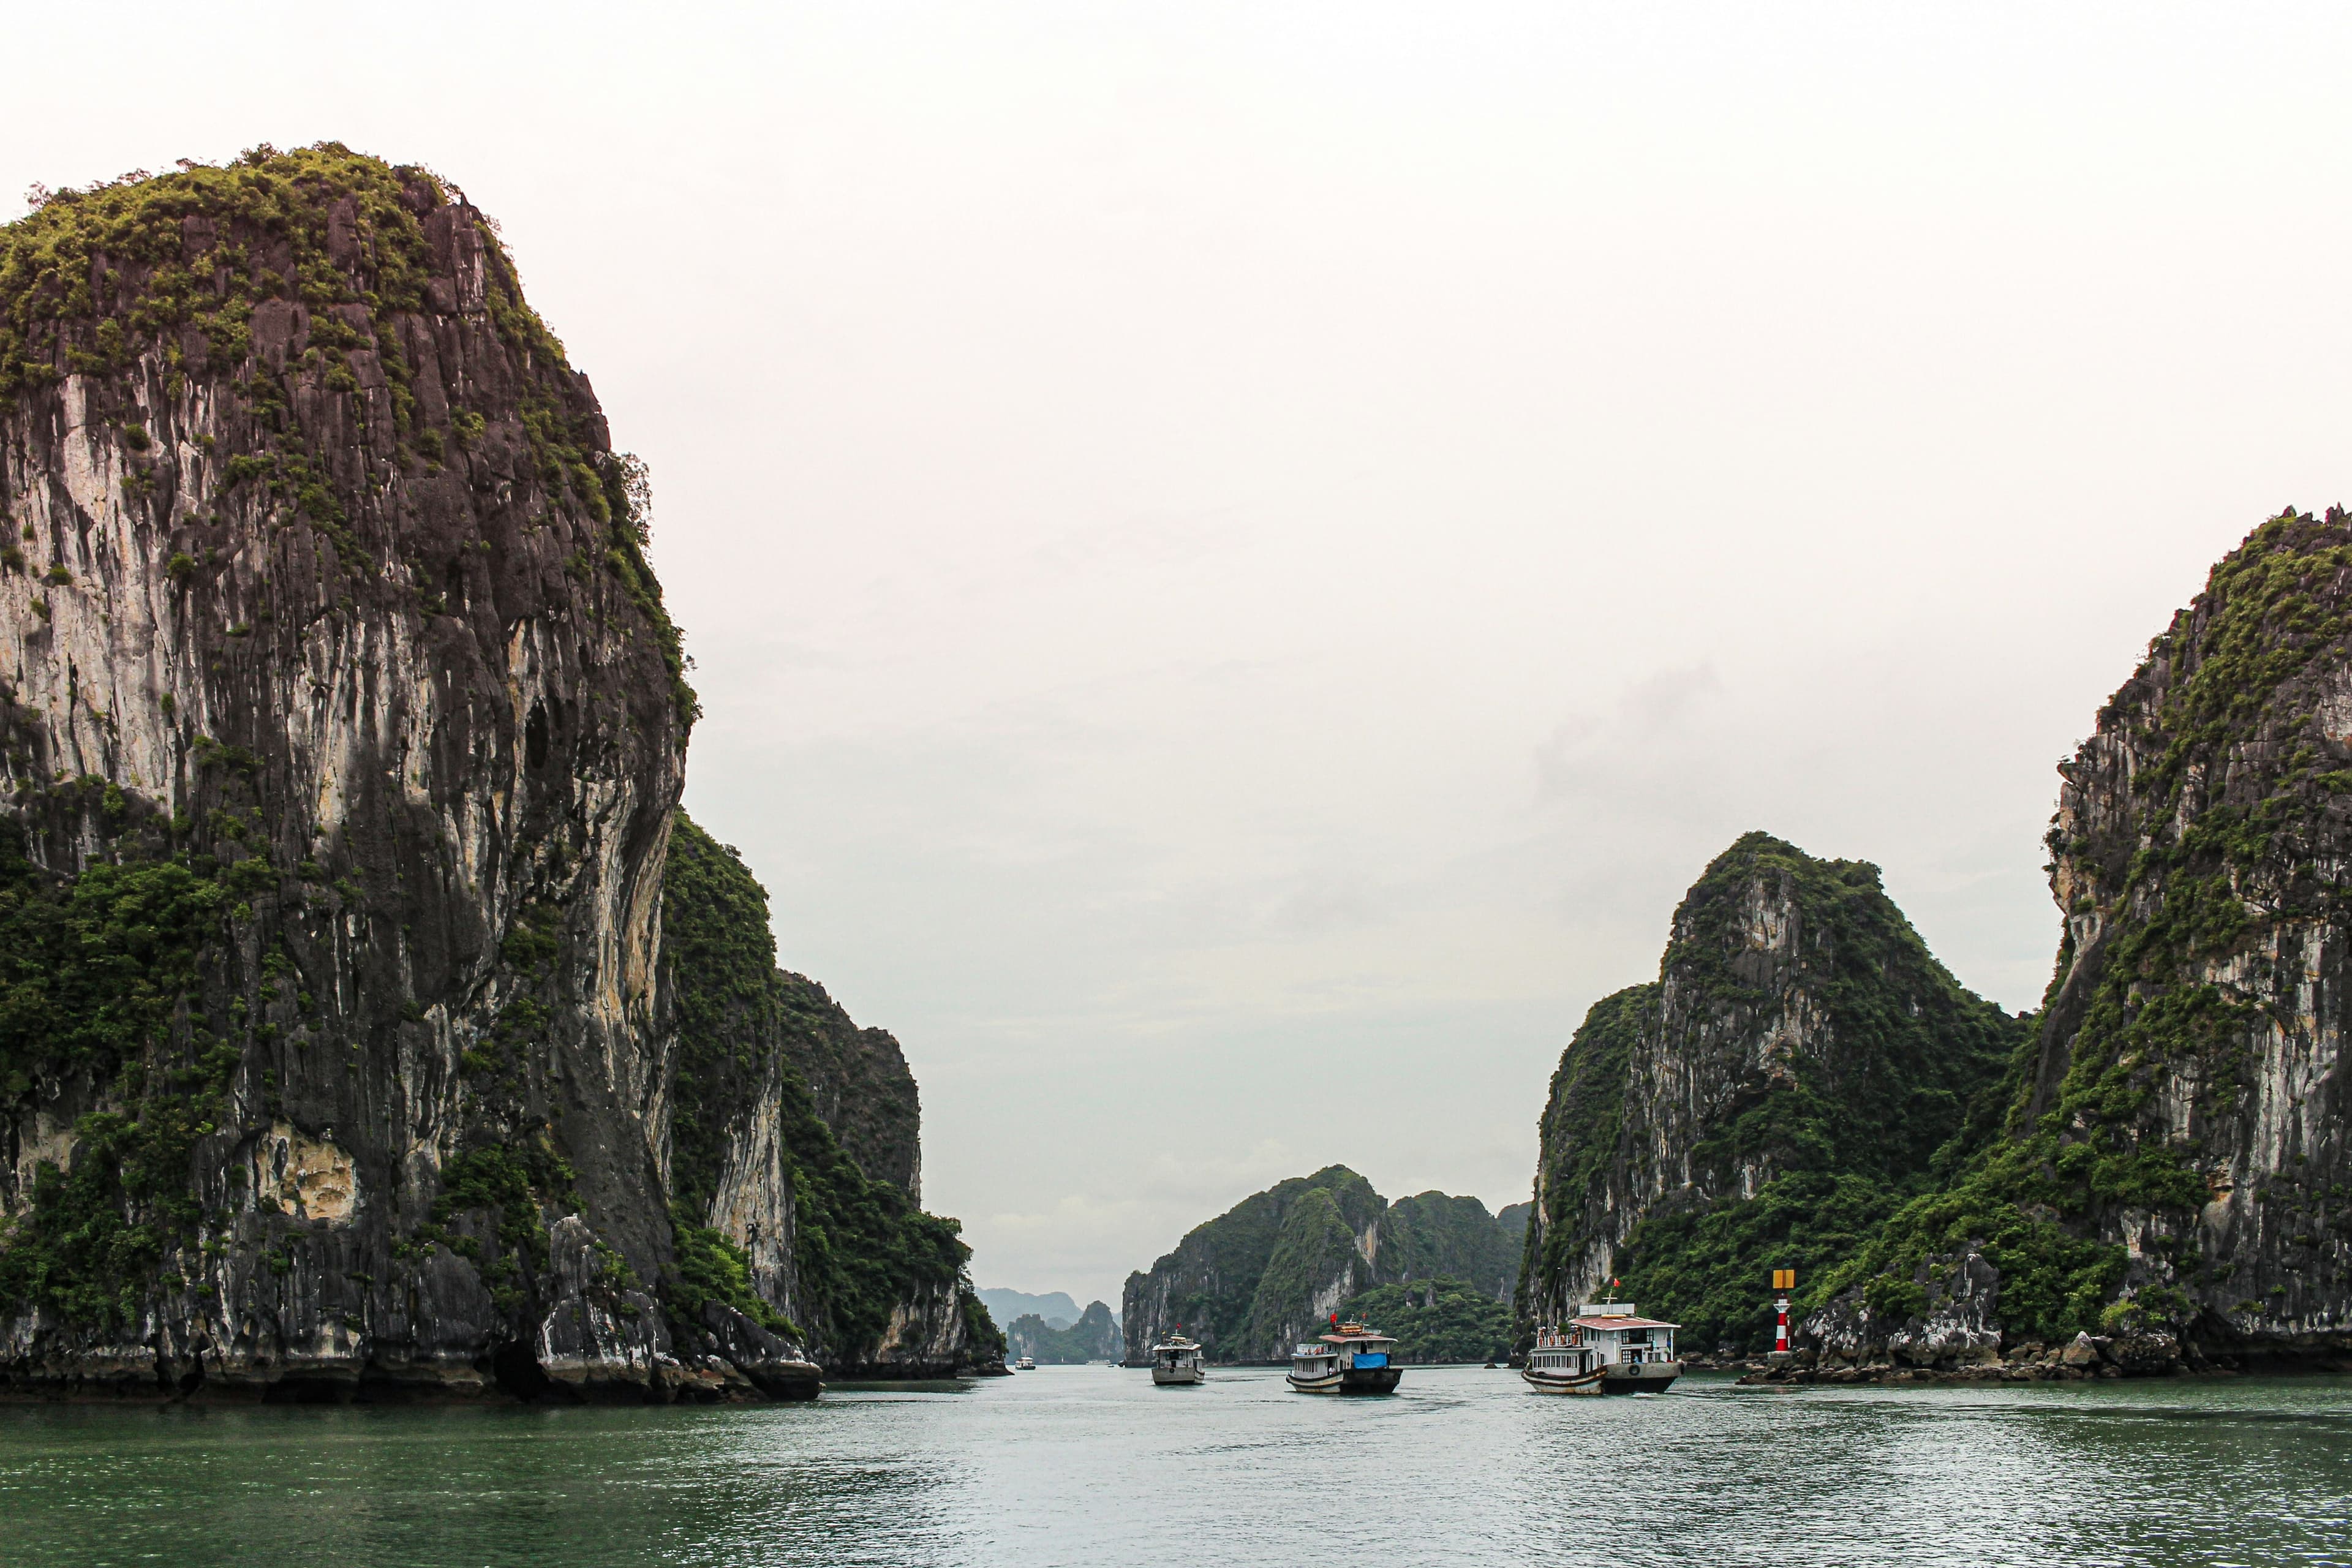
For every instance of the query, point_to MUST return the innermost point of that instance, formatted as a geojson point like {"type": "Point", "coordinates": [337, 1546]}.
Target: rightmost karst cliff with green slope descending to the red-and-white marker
{"type": "Point", "coordinates": [2170, 1184]}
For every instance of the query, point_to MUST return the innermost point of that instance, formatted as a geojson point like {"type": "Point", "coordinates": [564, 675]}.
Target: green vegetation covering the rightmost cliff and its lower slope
{"type": "Point", "coordinates": [2203, 819]}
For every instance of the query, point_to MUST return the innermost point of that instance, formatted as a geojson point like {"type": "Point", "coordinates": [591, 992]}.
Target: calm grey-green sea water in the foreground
{"type": "Point", "coordinates": [1093, 1466]}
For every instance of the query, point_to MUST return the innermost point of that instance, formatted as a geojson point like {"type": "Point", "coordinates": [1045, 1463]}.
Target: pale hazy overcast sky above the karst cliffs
{"type": "Point", "coordinates": [1243, 556]}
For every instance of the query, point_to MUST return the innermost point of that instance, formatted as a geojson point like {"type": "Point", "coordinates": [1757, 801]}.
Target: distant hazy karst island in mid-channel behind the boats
{"type": "Point", "coordinates": [1283, 1261]}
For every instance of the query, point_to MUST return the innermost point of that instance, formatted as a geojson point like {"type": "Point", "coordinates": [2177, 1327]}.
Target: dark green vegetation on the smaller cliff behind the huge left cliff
{"type": "Point", "coordinates": [862, 1247]}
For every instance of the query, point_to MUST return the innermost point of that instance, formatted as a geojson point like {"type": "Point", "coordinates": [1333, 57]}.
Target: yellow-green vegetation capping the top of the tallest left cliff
{"type": "Point", "coordinates": [173, 267]}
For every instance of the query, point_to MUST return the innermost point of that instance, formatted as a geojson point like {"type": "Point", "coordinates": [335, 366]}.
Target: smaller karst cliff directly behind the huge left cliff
{"type": "Point", "coordinates": [766, 1181]}
